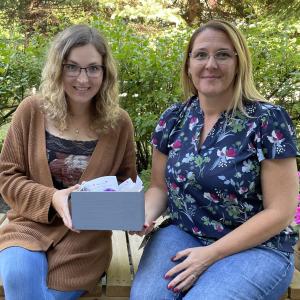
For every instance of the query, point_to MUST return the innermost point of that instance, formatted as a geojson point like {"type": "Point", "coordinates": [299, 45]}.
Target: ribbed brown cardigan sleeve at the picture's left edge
{"type": "Point", "coordinates": [27, 197]}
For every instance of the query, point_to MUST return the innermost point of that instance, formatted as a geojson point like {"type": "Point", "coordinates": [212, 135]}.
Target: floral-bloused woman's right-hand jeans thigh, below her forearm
{"type": "Point", "coordinates": [257, 273]}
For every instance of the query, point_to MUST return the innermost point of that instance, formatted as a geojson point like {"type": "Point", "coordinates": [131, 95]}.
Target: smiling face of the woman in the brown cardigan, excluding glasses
{"type": "Point", "coordinates": [81, 89]}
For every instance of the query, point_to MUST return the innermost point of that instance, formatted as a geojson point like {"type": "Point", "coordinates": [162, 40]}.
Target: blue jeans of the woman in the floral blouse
{"type": "Point", "coordinates": [257, 273]}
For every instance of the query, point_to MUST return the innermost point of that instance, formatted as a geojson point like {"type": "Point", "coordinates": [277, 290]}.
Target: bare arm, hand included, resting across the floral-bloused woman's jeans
{"type": "Point", "coordinates": [280, 187]}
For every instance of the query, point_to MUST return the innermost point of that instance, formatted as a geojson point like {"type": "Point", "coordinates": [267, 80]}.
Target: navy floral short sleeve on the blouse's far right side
{"type": "Point", "coordinates": [275, 137]}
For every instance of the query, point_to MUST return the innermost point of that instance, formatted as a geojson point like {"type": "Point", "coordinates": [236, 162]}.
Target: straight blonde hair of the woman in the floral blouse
{"type": "Point", "coordinates": [244, 87]}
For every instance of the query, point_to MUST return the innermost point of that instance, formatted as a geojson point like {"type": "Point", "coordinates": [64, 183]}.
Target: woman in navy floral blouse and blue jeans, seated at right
{"type": "Point", "coordinates": [224, 166]}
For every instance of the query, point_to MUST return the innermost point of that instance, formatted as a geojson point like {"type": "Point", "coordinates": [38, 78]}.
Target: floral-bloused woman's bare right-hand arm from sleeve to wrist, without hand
{"type": "Point", "coordinates": [280, 187]}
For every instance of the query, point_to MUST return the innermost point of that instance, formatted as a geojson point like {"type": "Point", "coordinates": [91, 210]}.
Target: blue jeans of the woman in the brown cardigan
{"type": "Point", "coordinates": [24, 276]}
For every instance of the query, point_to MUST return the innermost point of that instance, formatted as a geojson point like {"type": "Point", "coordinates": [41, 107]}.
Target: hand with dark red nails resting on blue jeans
{"type": "Point", "coordinates": [196, 261]}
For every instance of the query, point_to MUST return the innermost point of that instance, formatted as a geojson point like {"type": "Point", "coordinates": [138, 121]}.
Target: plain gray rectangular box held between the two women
{"type": "Point", "coordinates": [108, 210]}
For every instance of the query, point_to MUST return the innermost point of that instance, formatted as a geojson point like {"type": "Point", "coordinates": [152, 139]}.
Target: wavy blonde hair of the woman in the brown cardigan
{"type": "Point", "coordinates": [106, 103]}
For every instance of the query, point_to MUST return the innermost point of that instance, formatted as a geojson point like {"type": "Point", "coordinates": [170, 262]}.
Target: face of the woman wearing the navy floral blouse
{"type": "Point", "coordinates": [213, 79]}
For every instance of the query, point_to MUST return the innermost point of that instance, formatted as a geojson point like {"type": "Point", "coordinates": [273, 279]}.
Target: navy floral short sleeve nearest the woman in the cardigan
{"type": "Point", "coordinates": [164, 127]}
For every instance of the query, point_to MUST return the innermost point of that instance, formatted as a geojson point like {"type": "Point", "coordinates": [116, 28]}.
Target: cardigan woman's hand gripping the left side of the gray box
{"type": "Point", "coordinates": [61, 204]}
